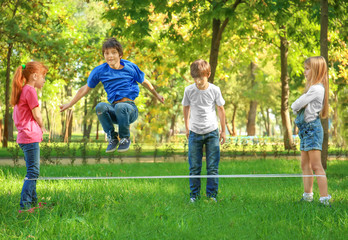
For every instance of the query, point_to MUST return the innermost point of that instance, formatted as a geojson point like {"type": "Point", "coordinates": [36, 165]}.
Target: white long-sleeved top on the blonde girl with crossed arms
{"type": "Point", "coordinates": [312, 100]}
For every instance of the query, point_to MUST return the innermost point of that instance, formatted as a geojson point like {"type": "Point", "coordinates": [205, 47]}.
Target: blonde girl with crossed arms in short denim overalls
{"type": "Point", "coordinates": [307, 107]}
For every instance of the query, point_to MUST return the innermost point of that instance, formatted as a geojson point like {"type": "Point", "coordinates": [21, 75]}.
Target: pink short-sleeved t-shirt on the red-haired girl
{"type": "Point", "coordinates": [29, 130]}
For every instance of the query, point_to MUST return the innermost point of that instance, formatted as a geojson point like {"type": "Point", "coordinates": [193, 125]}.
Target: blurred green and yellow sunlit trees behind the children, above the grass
{"type": "Point", "coordinates": [256, 50]}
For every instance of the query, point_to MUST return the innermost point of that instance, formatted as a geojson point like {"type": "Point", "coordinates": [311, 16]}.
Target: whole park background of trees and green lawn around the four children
{"type": "Point", "coordinates": [256, 49]}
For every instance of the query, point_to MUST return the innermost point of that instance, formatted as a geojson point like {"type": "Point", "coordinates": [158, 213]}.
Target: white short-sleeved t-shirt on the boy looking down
{"type": "Point", "coordinates": [202, 107]}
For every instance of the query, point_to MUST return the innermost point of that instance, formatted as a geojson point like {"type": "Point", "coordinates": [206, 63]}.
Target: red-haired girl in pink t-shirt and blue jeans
{"type": "Point", "coordinates": [28, 121]}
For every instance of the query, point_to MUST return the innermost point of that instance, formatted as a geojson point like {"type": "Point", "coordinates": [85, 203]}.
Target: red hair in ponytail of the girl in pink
{"type": "Point", "coordinates": [22, 76]}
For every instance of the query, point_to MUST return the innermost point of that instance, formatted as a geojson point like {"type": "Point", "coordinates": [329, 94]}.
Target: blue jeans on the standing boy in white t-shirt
{"type": "Point", "coordinates": [195, 155]}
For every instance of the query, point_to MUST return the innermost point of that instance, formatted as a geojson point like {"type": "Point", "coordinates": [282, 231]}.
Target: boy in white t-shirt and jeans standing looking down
{"type": "Point", "coordinates": [202, 129]}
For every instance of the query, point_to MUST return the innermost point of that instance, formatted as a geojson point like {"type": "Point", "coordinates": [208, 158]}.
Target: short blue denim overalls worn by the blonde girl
{"type": "Point", "coordinates": [311, 134]}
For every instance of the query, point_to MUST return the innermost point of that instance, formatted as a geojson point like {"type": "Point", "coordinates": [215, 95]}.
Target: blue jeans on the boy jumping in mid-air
{"type": "Point", "coordinates": [123, 114]}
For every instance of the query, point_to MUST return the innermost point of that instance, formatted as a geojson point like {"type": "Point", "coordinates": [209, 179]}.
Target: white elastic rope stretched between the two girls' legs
{"type": "Point", "coordinates": [181, 176]}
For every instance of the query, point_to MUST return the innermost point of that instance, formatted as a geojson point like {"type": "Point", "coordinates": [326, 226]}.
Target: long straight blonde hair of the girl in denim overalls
{"type": "Point", "coordinates": [318, 68]}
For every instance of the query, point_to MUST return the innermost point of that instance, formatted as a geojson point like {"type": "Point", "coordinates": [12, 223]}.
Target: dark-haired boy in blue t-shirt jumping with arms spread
{"type": "Point", "coordinates": [120, 79]}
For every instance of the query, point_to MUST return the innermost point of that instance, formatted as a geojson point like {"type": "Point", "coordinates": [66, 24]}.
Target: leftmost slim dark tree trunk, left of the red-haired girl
{"type": "Point", "coordinates": [7, 95]}
